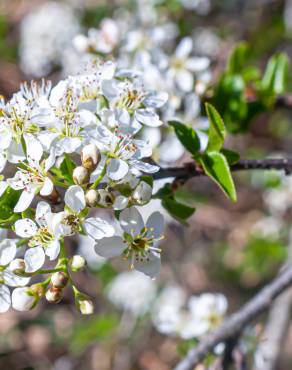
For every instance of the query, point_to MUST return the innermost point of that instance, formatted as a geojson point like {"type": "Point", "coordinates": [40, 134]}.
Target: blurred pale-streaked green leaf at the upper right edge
{"type": "Point", "coordinates": [276, 75]}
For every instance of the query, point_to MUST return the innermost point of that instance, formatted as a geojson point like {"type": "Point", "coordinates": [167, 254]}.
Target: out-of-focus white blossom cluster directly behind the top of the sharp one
{"type": "Point", "coordinates": [149, 46]}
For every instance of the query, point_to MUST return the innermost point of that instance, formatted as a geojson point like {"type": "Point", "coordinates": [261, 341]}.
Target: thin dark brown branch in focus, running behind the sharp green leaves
{"type": "Point", "coordinates": [191, 170]}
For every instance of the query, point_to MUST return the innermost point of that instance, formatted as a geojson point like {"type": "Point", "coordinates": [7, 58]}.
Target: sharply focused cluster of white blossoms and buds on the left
{"type": "Point", "coordinates": [74, 150]}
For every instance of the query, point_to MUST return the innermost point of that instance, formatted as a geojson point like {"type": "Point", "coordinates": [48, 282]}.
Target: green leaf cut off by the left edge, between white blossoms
{"type": "Point", "coordinates": [8, 201]}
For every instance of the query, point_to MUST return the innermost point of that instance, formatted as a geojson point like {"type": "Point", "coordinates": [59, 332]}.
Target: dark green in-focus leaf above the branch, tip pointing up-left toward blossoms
{"type": "Point", "coordinates": [187, 136]}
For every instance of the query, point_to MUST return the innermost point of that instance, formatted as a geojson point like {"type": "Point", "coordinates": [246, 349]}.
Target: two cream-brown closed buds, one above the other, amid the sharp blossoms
{"type": "Point", "coordinates": [90, 158]}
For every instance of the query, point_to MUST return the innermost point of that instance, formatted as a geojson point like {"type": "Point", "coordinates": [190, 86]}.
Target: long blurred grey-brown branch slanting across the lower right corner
{"type": "Point", "coordinates": [235, 324]}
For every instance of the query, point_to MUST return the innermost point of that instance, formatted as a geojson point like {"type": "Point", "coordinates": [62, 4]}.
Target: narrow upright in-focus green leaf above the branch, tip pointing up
{"type": "Point", "coordinates": [217, 130]}
